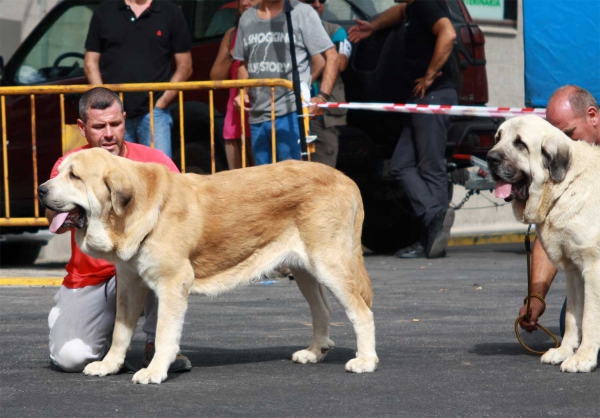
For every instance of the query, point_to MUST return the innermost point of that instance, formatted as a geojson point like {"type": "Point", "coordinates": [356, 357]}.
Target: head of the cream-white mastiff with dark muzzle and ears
{"type": "Point", "coordinates": [528, 154]}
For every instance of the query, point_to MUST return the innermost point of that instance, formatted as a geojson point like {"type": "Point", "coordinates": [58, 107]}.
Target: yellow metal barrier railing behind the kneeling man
{"type": "Point", "coordinates": [66, 137]}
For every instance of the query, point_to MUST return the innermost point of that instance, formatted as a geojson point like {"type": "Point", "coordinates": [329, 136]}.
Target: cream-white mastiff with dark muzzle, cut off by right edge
{"type": "Point", "coordinates": [554, 183]}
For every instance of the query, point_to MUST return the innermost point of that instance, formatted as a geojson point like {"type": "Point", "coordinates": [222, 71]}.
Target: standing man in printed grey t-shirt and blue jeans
{"type": "Point", "coordinates": [262, 44]}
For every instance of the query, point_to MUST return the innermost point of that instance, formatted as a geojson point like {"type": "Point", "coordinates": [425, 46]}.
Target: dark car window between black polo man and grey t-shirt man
{"type": "Point", "coordinates": [214, 17]}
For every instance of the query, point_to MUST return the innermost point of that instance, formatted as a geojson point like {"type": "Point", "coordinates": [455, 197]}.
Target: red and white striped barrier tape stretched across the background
{"type": "Point", "coordinates": [440, 109]}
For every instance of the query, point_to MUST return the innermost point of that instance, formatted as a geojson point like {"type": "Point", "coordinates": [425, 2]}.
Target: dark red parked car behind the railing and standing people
{"type": "Point", "coordinates": [53, 55]}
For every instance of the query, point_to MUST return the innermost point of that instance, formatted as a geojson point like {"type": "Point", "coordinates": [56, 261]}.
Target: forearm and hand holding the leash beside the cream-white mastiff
{"type": "Point", "coordinates": [543, 273]}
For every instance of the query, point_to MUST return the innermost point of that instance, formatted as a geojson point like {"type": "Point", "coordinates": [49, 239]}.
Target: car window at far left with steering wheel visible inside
{"type": "Point", "coordinates": [59, 52]}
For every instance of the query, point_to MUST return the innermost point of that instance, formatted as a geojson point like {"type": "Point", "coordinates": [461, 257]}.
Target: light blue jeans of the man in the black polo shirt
{"type": "Point", "coordinates": [137, 129]}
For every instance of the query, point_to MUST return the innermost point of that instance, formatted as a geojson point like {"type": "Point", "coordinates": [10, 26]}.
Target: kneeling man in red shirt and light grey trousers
{"type": "Point", "coordinates": [82, 321]}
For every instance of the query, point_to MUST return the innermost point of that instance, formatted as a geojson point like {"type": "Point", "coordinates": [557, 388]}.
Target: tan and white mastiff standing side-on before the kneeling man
{"type": "Point", "coordinates": [184, 233]}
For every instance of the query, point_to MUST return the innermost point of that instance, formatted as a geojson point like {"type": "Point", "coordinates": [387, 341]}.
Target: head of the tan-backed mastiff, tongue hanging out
{"type": "Point", "coordinates": [90, 188]}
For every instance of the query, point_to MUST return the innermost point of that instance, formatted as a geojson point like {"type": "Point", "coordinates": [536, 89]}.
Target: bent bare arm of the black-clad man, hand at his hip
{"type": "Point", "coordinates": [446, 35]}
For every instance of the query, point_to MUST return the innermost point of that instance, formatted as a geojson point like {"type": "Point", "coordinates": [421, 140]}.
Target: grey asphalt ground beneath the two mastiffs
{"type": "Point", "coordinates": [445, 341]}
